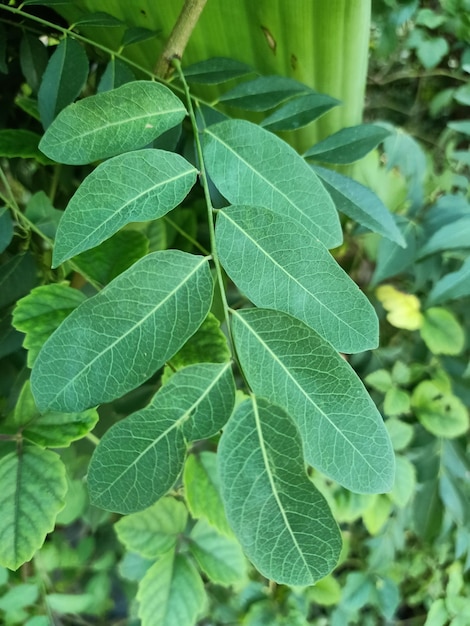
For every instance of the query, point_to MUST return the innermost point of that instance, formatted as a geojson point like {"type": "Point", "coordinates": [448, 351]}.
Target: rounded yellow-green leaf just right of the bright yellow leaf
{"type": "Point", "coordinates": [441, 332]}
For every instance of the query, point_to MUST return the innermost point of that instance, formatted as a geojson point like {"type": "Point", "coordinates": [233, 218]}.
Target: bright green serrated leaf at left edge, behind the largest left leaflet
{"type": "Point", "coordinates": [40, 312]}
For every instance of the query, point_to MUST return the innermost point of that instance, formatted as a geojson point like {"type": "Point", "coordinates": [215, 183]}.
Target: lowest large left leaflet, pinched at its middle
{"type": "Point", "coordinates": [139, 458]}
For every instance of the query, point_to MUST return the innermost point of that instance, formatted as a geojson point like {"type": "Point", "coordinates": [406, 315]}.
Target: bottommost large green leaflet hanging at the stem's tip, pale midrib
{"type": "Point", "coordinates": [282, 522]}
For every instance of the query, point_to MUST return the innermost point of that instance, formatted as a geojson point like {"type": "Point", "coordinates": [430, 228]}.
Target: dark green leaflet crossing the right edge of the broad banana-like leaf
{"type": "Point", "coordinates": [348, 144]}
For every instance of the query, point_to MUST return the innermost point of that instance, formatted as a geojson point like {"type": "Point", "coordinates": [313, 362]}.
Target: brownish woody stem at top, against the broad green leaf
{"type": "Point", "coordinates": [179, 36]}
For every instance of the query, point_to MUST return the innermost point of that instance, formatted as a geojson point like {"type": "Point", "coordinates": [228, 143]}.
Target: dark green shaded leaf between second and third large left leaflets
{"type": "Point", "coordinates": [113, 256]}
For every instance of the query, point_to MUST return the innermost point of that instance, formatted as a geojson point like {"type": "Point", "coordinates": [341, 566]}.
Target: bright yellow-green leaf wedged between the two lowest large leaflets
{"type": "Point", "coordinates": [202, 490]}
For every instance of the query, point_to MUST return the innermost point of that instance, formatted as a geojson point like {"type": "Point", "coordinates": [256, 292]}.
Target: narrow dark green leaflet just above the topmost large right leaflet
{"type": "Point", "coordinates": [263, 92]}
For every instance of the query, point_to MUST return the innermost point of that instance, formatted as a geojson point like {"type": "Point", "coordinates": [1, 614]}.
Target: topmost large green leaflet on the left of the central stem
{"type": "Point", "coordinates": [111, 123]}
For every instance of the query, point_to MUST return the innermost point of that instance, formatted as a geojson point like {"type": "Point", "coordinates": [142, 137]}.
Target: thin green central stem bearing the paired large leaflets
{"type": "Point", "coordinates": [207, 196]}
